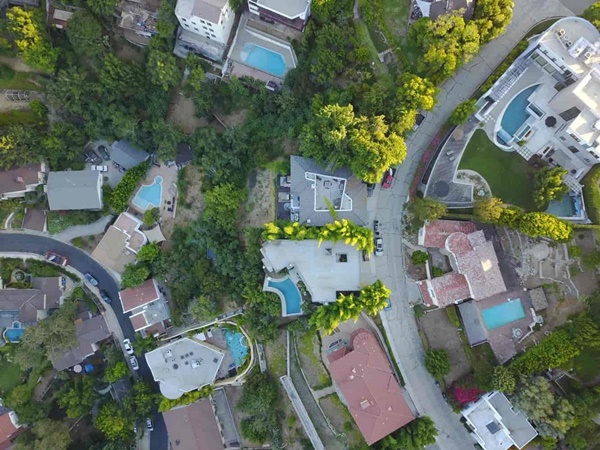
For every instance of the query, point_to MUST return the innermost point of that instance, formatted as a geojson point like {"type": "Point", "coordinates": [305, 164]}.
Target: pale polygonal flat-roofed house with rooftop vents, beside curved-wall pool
{"type": "Point", "coordinates": [184, 365]}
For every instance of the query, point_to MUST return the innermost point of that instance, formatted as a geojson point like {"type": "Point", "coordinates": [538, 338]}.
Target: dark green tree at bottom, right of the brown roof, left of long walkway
{"type": "Point", "coordinates": [259, 403]}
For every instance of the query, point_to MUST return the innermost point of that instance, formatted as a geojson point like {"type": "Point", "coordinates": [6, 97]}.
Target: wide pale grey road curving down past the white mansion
{"type": "Point", "coordinates": [400, 323]}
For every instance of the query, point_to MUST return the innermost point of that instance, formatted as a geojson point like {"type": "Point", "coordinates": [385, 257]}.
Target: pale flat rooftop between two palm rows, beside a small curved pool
{"type": "Point", "coordinates": [325, 269]}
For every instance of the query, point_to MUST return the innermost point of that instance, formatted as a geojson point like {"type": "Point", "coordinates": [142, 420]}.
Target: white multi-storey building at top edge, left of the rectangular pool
{"type": "Point", "coordinates": [211, 19]}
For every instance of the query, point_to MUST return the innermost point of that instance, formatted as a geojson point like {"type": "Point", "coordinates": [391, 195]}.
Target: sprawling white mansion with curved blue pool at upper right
{"type": "Point", "coordinates": [546, 103]}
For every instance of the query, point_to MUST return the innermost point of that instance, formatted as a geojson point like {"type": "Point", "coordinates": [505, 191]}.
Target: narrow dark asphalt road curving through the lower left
{"type": "Point", "coordinates": [20, 242]}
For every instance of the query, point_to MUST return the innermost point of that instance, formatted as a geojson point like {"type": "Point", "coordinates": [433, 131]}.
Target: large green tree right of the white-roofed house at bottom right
{"type": "Point", "coordinates": [552, 415]}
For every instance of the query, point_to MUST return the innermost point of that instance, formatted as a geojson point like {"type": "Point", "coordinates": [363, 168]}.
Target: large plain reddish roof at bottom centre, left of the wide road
{"type": "Point", "coordinates": [374, 397]}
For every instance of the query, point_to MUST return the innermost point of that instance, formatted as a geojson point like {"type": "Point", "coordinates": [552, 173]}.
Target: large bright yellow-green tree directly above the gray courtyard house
{"type": "Point", "coordinates": [336, 137]}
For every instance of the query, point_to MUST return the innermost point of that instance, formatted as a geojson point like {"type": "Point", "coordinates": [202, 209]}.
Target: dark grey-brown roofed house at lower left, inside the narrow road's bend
{"type": "Point", "coordinates": [91, 331]}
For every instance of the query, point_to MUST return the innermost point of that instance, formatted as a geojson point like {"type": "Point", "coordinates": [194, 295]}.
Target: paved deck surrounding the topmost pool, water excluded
{"type": "Point", "coordinates": [248, 34]}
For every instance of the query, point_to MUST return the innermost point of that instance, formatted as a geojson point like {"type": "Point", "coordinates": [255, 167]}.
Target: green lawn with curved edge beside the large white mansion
{"type": "Point", "coordinates": [507, 173]}
